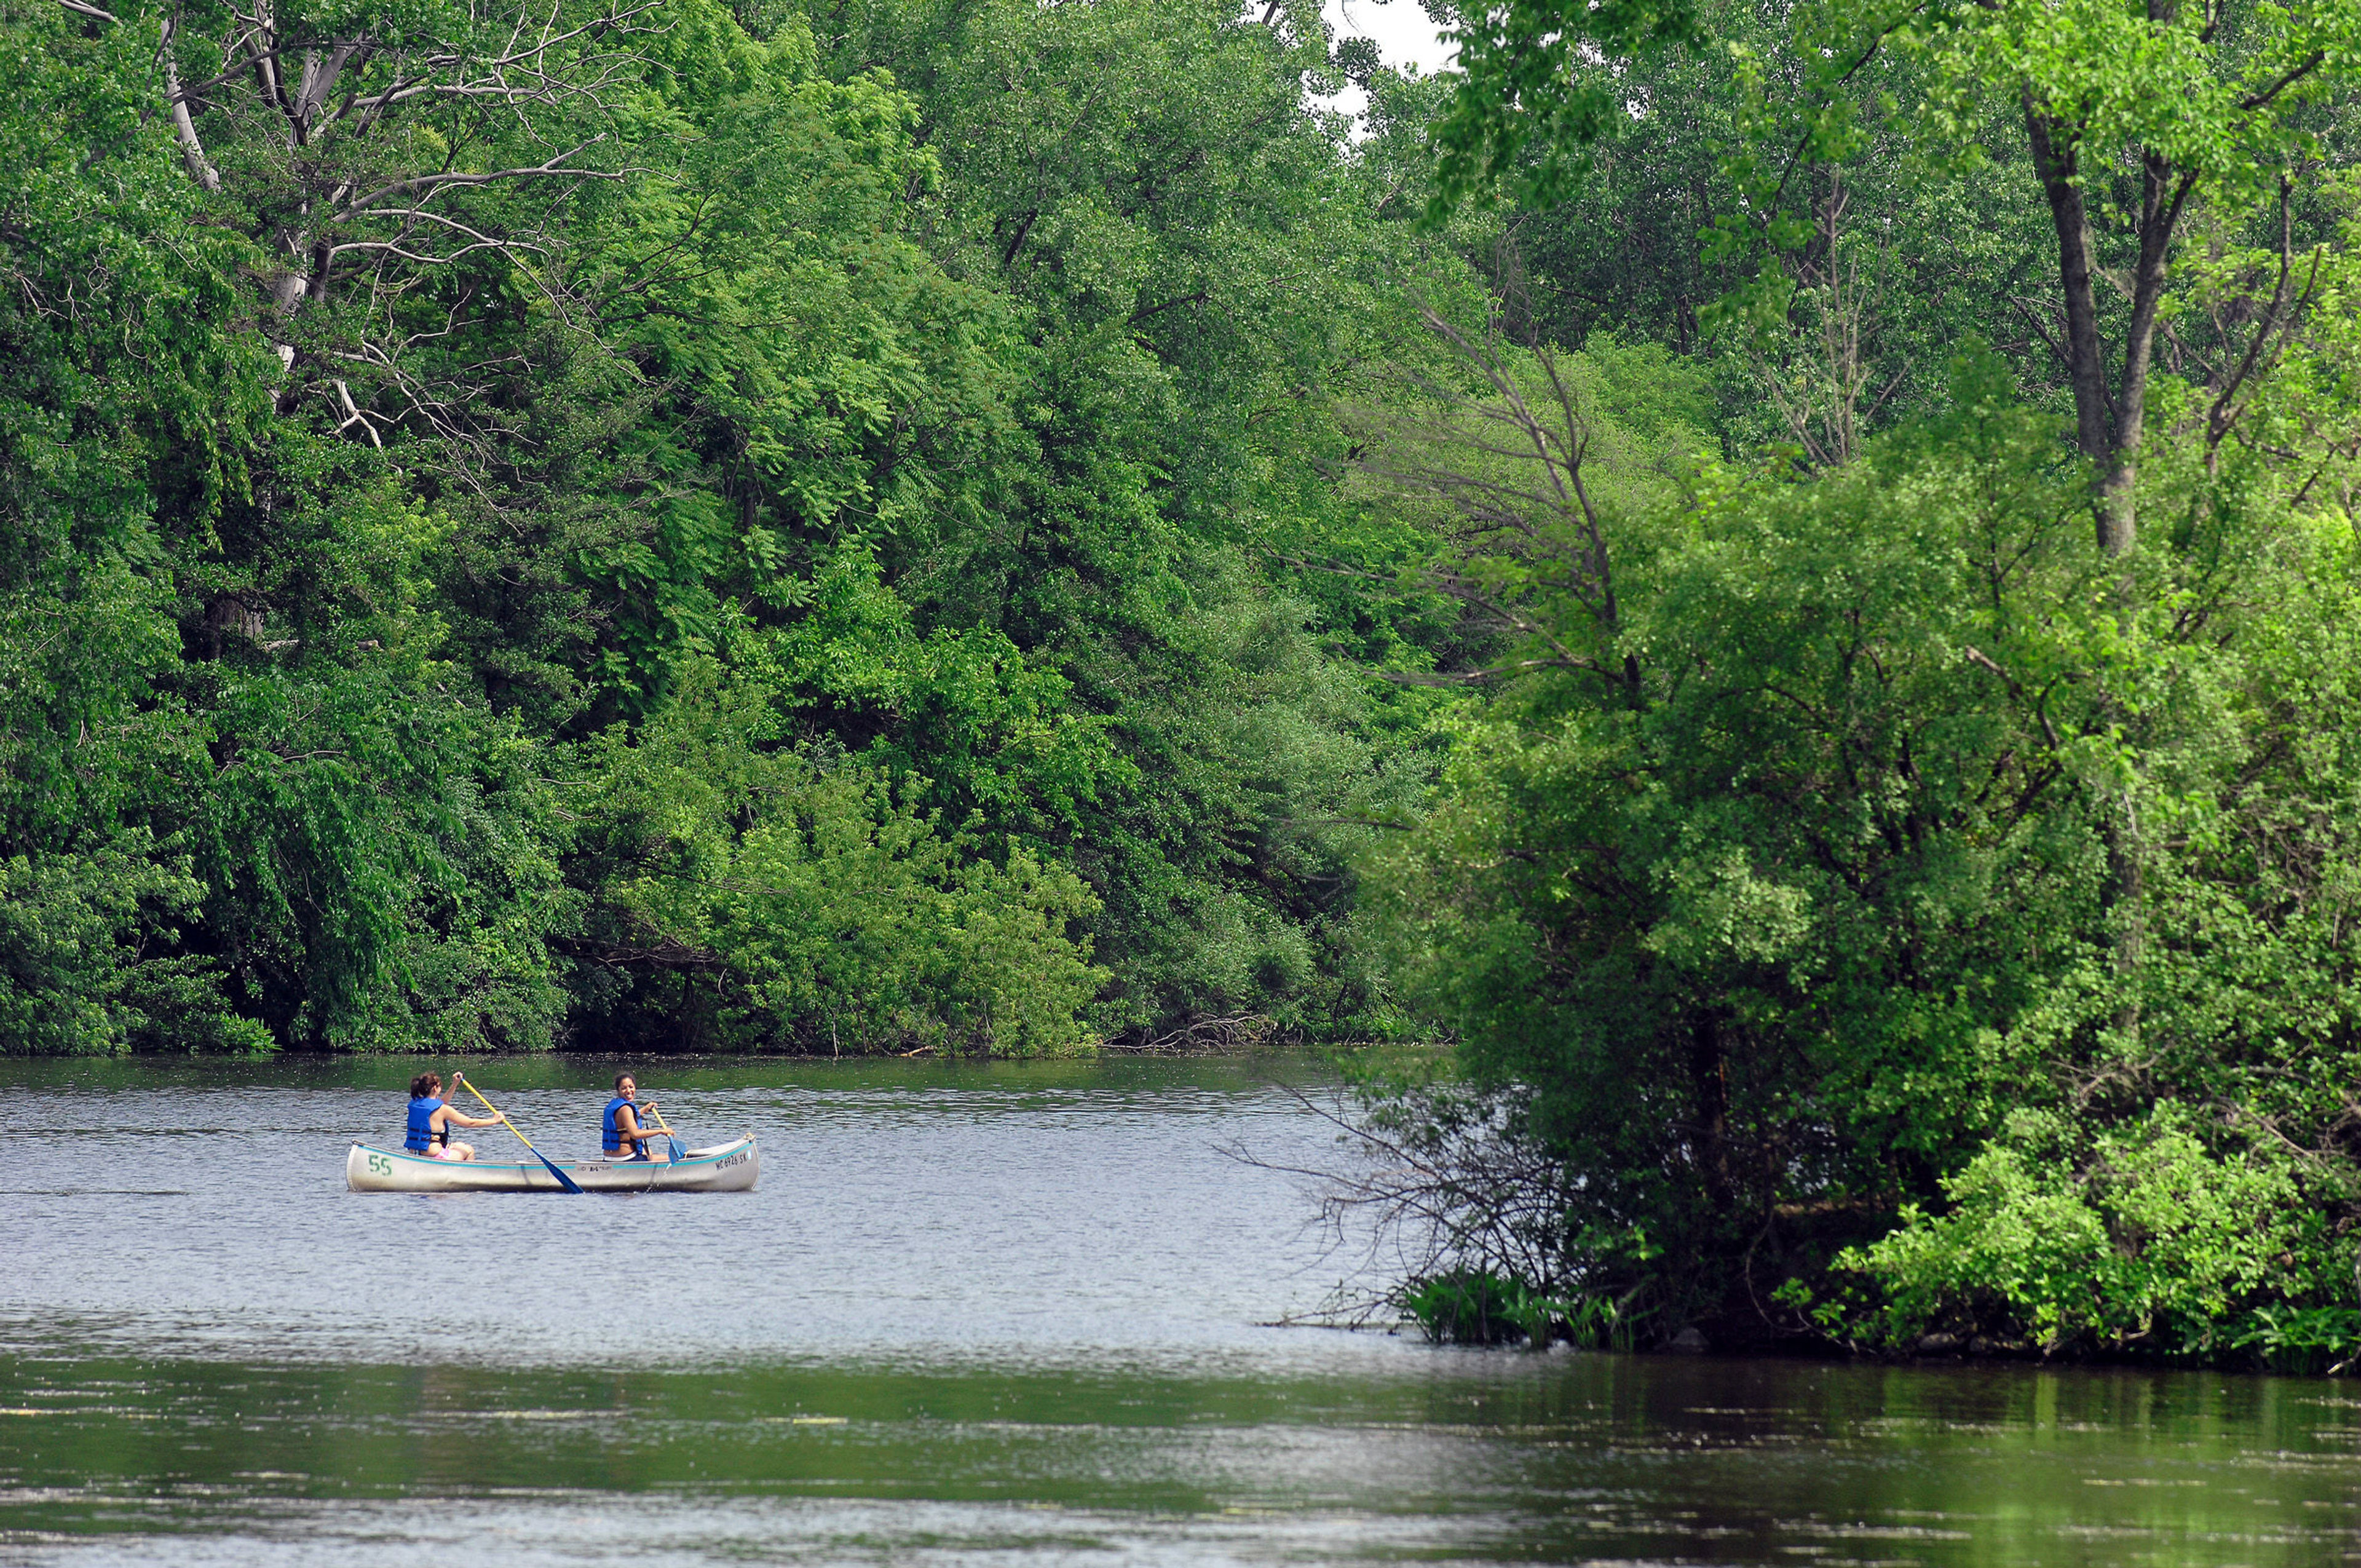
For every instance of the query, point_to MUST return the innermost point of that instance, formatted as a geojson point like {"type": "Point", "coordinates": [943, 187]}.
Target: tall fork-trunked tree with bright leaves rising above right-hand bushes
{"type": "Point", "coordinates": [2138, 119]}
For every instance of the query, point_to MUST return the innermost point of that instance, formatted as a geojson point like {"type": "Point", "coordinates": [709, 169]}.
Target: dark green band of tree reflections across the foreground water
{"type": "Point", "coordinates": [1489, 1458]}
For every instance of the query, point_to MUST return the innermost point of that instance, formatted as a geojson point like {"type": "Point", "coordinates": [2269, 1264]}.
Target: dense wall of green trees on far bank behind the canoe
{"type": "Point", "coordinates": [650, 525]}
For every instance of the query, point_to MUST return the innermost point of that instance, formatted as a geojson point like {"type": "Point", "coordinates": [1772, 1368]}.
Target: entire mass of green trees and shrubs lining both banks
{"type": "Point", "coordinates": [1788, 584]}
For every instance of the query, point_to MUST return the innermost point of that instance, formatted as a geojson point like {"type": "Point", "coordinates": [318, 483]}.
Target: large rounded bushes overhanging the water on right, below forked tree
{"type": "Point", "coordinates": [1793, 946]}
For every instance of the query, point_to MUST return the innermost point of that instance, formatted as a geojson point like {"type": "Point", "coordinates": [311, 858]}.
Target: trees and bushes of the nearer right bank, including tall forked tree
{"type": "Point", "coordinates": [1897, 880]}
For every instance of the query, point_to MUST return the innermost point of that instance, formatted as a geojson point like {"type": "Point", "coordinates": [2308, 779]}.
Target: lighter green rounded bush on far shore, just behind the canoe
{"type": "Point", "coordinates": [823, 908]}
